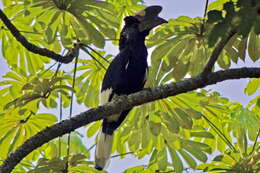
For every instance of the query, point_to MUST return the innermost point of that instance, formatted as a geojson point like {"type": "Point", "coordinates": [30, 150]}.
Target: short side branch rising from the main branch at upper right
{"type": "Point", "coordinates": [217, 50]}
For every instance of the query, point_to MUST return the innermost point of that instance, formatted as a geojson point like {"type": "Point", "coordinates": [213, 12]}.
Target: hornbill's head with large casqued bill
{"type": "Point", "coordinates": [142, 22]}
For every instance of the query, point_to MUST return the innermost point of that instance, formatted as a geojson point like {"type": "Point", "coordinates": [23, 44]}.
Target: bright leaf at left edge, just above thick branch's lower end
{"type": "Point", "coordinates": [16, 129]}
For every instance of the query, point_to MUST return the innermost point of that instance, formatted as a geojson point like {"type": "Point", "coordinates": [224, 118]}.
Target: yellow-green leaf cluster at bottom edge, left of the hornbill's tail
{"type": "Point", "coordinates": [53, 161]}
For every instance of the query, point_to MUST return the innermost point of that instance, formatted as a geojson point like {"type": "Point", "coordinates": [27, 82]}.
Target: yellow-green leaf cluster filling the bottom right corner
{"type": "Point", "coordinates": [245, 156]}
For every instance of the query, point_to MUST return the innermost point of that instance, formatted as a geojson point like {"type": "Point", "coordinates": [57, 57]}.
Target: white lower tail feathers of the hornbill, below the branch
{"type": "Point", "coordinates": [103, 150]}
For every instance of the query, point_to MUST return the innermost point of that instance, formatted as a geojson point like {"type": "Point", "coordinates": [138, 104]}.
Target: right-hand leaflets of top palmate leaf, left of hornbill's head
{"type": "Point", "coordinates": [87, 15]}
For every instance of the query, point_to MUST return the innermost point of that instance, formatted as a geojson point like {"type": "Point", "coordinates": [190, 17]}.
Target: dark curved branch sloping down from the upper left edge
{"type": "Point", "coordinates": [31, 47]}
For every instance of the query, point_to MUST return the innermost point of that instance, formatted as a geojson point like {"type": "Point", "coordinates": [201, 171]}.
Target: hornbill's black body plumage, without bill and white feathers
{"type": "Point", "coordinates": [127, 73]}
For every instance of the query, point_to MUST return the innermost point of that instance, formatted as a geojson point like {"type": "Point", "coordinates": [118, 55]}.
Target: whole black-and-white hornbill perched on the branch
{"type": "Point", "coordinates": [126, 74]}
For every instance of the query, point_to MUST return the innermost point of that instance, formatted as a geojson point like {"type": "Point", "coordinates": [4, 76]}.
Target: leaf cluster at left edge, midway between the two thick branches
{"type": "Point", "coordinates": [22, 89]}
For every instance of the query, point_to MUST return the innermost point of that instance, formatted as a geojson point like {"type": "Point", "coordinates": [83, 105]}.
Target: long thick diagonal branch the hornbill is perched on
{"type": "Point", "coordinates": [122, 103]}
